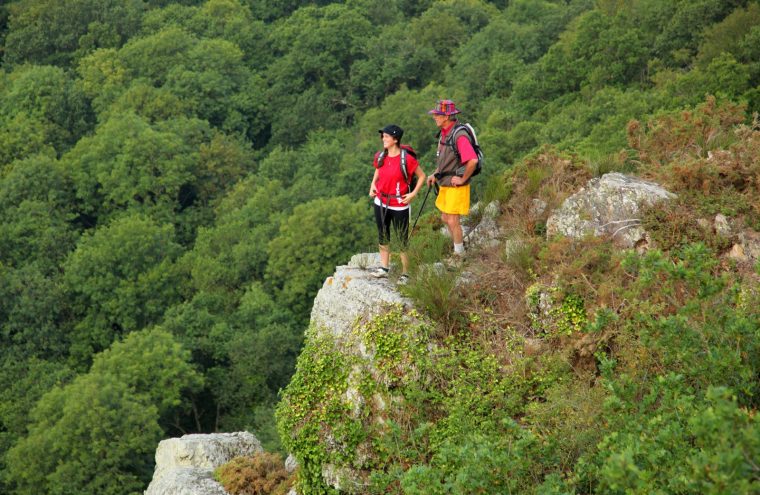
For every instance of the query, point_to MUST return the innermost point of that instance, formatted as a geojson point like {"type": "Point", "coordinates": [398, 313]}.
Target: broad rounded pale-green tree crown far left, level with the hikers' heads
{"type": "Point", "coordinates": [171, 170]}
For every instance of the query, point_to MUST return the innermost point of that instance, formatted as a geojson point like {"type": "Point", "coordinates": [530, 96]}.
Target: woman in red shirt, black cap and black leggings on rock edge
{"type": "Point", "coordinates": [390, 188]}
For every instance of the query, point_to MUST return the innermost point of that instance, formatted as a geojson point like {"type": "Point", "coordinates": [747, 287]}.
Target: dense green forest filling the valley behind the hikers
{"type": "Point", "coordinates": [177, 178]}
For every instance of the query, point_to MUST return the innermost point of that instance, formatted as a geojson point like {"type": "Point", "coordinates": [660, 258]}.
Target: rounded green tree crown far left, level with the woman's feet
{"type": "Point", "coordinates": [120, 279]}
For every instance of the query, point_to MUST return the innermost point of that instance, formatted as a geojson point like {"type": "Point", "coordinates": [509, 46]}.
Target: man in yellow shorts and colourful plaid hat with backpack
{"type": "Point", "coordinates": [453, 171]}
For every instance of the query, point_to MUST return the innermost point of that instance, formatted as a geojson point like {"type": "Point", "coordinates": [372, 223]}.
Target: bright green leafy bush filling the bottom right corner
{"type": "Point", "coordinates": [672, 441]}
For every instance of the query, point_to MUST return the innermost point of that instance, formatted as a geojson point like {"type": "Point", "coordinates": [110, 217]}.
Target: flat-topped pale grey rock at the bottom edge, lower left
{"type": "Point", "coordinates": [185, 466]}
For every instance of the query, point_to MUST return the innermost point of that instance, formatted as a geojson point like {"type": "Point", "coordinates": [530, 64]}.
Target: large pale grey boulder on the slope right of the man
{"type": "Point", "coordinates": [609, 206]}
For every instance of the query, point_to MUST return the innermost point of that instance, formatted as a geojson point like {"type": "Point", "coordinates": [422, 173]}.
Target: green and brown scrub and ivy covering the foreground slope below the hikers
{"type": "Point", "coordinates": [563, 366]}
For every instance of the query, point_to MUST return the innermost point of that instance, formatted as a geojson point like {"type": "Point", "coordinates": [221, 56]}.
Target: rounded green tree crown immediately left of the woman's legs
{"type": "Point", "coordinates": [315, 238]}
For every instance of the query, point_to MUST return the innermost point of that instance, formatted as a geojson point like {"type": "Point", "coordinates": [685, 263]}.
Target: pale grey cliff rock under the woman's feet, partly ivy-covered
{"type": "Point", "coordinates": [345, 304]}
